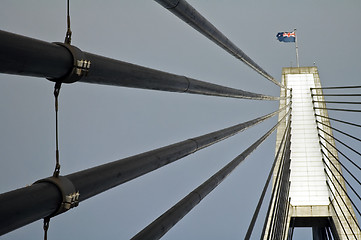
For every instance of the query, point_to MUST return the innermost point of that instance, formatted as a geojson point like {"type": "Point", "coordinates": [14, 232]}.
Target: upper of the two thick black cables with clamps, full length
{"type": "Point", "coordinates": [30, 57]}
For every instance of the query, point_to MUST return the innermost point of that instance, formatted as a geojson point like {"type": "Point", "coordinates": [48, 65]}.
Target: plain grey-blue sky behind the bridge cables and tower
{"type": "Point", "coordinates": [100, 124]}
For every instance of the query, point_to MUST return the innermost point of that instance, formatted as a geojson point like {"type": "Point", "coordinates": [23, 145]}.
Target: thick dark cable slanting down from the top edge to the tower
{"type": "Point", "coordinates": [192, 17]}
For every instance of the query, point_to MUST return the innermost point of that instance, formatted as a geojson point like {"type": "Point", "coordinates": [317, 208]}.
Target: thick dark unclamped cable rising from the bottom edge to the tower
{"type": "Point", "coordinates": [166, 221]}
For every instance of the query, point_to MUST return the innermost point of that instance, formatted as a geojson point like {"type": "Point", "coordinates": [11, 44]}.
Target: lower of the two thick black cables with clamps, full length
{"type": "Point", "coordinates": [26, 205]}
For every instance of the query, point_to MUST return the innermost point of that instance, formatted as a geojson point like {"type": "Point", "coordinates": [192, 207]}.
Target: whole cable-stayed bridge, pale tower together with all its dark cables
{"type": "Point", "coordinates": [308, 185]}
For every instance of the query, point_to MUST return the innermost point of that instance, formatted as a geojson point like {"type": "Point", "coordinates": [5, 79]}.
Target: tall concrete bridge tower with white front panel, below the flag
{"type": "Point", "coordinates": [308, 187]}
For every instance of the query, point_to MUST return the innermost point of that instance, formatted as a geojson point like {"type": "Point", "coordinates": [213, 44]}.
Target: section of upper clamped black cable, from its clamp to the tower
{"type": "Point", "coordinates": [112, 72]}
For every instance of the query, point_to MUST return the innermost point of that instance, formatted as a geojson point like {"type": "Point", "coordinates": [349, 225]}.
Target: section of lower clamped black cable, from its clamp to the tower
{"type": "Point", "coordinates": [132, 167]}
